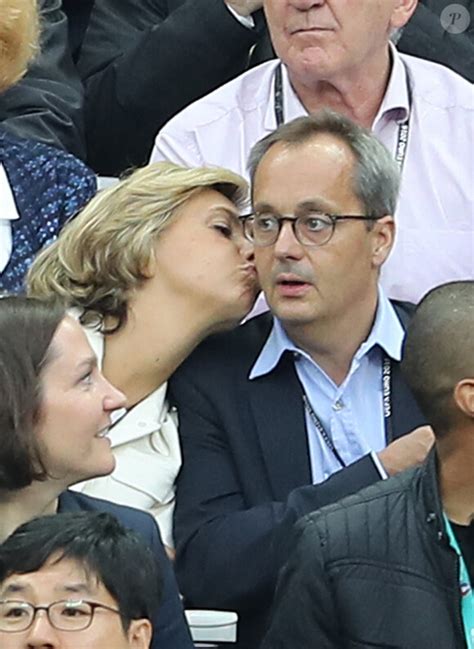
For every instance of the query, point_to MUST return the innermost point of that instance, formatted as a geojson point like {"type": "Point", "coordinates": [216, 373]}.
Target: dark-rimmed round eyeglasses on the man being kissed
{"type": "Point", "coordinates": [310, 229]}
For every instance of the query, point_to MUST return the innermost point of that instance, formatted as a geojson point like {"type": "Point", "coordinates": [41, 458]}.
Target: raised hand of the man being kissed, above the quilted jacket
{"type": "Point", "coordinates": [407, 451]}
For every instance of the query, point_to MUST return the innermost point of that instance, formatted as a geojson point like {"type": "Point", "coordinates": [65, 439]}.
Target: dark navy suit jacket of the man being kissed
{"type": "Point", "coordinates": [246, 476]}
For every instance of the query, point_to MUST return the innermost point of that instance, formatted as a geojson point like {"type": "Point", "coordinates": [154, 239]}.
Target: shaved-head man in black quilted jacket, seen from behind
{"type": "Point", "coordinates": [393, 566]}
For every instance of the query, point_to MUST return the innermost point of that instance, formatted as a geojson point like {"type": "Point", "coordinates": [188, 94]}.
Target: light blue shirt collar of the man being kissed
{"type": "Point", "coordinates": [387, 332]}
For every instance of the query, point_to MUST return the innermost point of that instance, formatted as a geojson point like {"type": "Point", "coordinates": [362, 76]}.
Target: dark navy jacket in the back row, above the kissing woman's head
{"type": "Point", "coordinates": [144, 60]}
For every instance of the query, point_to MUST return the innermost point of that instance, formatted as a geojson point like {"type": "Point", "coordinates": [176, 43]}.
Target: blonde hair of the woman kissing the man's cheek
{"type": "Point", "coordinates": [104, 252]}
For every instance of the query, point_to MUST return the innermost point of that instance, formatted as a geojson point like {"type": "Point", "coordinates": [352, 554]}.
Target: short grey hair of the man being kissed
{"type": "Point", "coordinates": [376, 174]}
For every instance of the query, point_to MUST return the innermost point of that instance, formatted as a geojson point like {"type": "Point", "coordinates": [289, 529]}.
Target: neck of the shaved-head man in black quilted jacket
{"type": "Point", "coordinates": [456, 475]}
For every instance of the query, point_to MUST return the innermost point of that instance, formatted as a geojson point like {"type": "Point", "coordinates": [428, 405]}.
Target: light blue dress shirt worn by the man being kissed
{"type": "Point", "coordinates": [351, 413]}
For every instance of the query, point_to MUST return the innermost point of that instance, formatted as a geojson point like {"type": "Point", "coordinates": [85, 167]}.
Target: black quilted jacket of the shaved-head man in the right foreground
{"type": "Point", "coordinates": [375, 570]}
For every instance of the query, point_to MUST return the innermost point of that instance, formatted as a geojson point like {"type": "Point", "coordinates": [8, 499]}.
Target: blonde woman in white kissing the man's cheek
{"type": "Point", "coordinates": [153, 265]}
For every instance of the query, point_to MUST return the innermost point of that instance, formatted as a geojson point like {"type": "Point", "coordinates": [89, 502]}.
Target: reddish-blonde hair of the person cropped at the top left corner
{"type": "Point", "coordinates": [19, 30]}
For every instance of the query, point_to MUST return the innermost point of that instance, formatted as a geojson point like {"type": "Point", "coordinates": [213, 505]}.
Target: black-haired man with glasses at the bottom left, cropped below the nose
{"type": "Point", "coordinates": [76, 581]}
